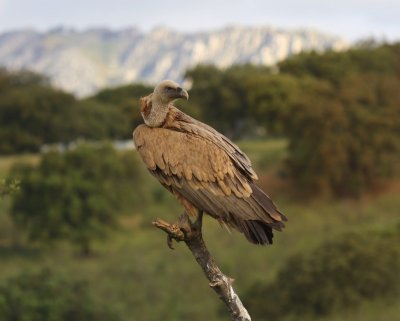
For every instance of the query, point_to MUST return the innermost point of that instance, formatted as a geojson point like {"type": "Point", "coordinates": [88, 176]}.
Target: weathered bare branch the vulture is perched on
{"type": "Point", "coordinates": [190, 232]}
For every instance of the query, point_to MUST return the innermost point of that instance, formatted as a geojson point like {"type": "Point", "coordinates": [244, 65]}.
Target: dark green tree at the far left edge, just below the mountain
{"type": "Point", "coordinates": [31, 116]}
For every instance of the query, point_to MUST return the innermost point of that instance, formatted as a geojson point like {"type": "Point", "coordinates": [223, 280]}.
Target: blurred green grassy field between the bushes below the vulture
{"type": "Point", "coordinates": [134, 272]}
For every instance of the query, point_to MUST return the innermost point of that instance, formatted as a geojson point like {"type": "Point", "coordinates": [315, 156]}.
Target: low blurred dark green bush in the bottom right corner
{"type": "Point", "coordinates": [338, 275]}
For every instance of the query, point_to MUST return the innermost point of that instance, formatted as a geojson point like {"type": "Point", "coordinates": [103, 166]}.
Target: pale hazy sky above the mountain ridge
{"type": "Point", "coordinates": [351, 19]}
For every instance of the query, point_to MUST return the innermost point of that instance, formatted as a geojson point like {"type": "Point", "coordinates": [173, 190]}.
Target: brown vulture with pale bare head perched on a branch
{"type": "Point", "coordinates": [202, 168]}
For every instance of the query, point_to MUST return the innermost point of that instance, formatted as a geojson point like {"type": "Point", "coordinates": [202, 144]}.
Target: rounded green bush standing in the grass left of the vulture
{"type": "Point", "coordinates": [76, 195]}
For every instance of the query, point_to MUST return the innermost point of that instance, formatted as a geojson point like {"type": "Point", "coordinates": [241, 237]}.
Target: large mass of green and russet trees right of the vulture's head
{"type": "Point", "coordinates": [337, 109]}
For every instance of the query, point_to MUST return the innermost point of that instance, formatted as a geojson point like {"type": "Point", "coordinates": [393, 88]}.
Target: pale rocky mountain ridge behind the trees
{"type": "Point", "coordinates": [85, 61]}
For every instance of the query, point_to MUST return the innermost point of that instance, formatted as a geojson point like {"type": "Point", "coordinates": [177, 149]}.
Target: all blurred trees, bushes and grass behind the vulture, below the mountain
{"type": "Point", "coordinates": [323, 132]}
